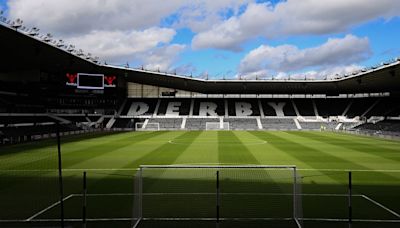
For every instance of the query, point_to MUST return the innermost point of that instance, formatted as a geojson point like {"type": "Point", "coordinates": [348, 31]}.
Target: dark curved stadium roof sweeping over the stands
{"type": "Point", "coordinates": [25, 52]}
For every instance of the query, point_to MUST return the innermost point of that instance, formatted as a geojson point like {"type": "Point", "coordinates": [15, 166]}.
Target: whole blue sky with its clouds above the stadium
{"type": "Point", "coordinates": [225, 38]}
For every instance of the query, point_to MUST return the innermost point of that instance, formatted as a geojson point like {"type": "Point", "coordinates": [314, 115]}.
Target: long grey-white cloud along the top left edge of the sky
{"type": "Point", "coordinates": [71, 17]}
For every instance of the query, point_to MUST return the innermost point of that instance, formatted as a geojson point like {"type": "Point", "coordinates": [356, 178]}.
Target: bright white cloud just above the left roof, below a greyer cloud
{"type": "Point", "coordinates": [149, 48]}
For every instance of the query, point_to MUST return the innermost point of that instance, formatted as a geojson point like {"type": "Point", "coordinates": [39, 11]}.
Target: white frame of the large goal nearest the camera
{"type": "Point", "coordinates": [137, 217]}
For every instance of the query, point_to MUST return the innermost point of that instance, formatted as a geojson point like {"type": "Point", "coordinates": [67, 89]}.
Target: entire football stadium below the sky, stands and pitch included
{"type": "Point", "coordinates": [85, 143]}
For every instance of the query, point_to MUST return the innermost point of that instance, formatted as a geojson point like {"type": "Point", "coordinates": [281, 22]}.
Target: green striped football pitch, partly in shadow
{"type": "Point", "coordinates": [29, 178]}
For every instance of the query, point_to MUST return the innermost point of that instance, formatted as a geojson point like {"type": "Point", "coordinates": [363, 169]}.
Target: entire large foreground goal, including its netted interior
{"type": "Point", "coordinates": [229, 195]}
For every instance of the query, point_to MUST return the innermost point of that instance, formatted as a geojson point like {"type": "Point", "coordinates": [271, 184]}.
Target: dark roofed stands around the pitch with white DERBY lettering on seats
{"type": "Point", "coordinates": [365, 100]}
